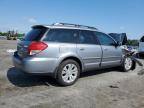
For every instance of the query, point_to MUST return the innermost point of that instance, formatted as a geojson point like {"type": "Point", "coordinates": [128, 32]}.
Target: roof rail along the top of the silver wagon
{"type": "Point", "coordinates": [73, 25]}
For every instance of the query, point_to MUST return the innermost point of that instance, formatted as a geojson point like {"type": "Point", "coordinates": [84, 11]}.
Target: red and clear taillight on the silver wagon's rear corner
{"type": "Point", "coordinates": [36, 47]}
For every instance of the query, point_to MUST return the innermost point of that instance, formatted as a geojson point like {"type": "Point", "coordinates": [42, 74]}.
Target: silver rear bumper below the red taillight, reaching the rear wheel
{"type": "Point", "coordinates": [35, 65]}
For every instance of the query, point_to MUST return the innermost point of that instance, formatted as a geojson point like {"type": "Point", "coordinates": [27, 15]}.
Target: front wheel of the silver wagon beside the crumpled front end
{"type": "Point", "coordinates": [127, 64]}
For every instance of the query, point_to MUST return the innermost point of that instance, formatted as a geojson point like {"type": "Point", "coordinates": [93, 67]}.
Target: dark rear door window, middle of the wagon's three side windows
{"type": "Point", "coordinates": [87, 37]}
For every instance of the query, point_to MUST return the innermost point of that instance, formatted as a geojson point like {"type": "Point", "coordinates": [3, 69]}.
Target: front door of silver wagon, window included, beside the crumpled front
{"type": "Point", "coordinates": [112, 54]}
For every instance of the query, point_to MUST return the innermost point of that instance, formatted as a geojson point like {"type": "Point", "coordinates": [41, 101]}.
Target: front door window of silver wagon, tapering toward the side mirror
{"type": "Point", "coordinates": [104, 39]}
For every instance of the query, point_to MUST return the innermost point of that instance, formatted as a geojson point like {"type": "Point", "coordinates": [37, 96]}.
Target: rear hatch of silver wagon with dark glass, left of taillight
{"type": "Point", "coordinates": [34, 35]}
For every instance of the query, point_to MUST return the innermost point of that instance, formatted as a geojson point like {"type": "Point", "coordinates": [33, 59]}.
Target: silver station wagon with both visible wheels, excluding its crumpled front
{"type": "Point", "coordinates": [65, 50]}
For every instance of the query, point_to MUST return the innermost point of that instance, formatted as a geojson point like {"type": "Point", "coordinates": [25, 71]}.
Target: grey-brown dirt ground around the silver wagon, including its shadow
{"type": "Point", "coordinates": [108, 88]}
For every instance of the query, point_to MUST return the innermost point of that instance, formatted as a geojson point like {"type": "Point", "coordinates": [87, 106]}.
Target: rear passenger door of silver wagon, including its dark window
{"type": "Point", "coordinates": [89, 50]}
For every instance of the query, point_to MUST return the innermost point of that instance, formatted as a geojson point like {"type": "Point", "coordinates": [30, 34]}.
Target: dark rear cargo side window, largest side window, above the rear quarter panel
{"type": "Point", "coordinates": [62, 35]}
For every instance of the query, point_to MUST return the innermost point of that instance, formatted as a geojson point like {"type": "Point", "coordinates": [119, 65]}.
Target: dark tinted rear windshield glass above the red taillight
{"type": "Point", "coordinates": [35, 34]}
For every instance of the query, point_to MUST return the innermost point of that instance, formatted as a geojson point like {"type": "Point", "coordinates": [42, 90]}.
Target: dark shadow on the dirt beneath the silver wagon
{"type": "Point", "coordinates": [21, 79]}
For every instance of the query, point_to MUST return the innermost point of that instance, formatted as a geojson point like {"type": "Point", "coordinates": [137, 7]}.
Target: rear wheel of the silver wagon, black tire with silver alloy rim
{"type": "Point", "coordinates": [65, 77]}
